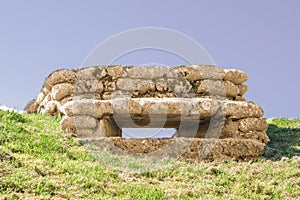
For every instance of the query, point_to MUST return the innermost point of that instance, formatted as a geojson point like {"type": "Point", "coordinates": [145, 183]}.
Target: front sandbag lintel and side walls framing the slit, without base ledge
{"type": "Point", "coordinates": [192, 119]}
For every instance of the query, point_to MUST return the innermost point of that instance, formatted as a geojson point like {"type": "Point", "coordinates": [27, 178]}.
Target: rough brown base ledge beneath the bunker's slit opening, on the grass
{"type": "Point", "coordinates": [192, 149]}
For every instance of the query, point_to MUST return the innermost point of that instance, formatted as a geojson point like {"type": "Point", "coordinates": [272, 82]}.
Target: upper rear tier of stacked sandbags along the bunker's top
{"type": "Point", "coordinates": [107, 82]}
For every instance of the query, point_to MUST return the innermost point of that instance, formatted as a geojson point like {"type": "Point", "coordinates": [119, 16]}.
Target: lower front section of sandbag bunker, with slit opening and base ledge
{"type": "Point", "coordinates": [240, 136]}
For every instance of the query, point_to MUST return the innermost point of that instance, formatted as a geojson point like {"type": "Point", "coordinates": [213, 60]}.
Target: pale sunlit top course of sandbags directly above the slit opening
{"type": "Point", "coordinates": [174, 108]}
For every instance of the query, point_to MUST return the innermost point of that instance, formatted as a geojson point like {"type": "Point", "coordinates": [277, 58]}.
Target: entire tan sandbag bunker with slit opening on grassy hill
{"type": "Point", "coordinates": [205, 105]}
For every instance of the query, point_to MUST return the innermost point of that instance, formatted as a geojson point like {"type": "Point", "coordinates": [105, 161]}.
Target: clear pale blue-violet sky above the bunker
{"type": "Point", "coordinates": [258, 37]}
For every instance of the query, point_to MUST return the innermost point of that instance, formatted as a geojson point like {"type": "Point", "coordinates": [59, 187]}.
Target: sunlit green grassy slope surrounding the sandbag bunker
{"type": "Point", "coordinates": [38, 161]}
